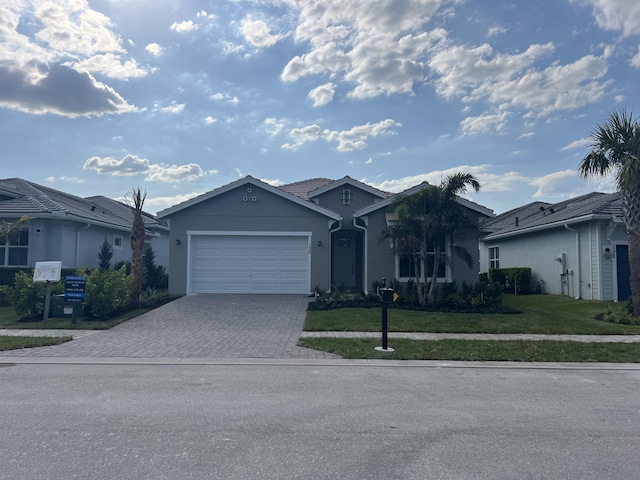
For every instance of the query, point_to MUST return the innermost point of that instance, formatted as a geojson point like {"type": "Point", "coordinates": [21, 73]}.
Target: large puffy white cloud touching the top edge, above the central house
{"type": "Point", "coordinates": [376, 44]}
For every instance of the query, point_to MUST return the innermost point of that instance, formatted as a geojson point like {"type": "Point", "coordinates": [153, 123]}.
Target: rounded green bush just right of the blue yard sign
{"type": "Point", "coordinates": [107, 291]}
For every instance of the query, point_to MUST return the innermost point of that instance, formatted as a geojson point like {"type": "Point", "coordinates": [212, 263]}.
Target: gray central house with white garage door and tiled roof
{"type": "Point", "coordinates": [251, 237]}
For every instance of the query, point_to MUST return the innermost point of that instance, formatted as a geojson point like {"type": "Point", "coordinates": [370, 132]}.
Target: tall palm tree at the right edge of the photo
{"type": "Point", "coordinates": [615, 150]}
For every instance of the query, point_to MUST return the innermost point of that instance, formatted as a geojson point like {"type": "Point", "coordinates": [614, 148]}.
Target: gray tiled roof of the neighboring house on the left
{"type": "Point", "coordinates": [20, 197]}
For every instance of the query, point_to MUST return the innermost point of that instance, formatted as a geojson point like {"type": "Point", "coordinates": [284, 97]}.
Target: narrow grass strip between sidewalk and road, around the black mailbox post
{"type": "Point", "coordinates": [479, 350]}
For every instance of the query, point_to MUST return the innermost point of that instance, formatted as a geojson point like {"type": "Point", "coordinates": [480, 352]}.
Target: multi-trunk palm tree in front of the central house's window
{"type": "Point", "coordinates": [429, 225]}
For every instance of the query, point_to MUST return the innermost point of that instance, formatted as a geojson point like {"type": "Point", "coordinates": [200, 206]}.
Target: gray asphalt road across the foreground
{"type": "Point", "coordinates": [262, 421]}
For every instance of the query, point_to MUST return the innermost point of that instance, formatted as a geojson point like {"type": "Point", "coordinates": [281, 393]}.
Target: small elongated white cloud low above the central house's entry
{"type": "Point", "coordinates": [347, 140]}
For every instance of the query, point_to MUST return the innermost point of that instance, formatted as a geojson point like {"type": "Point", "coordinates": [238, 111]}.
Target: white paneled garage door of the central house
{"type": "Point", "coordinates": [249, 264]}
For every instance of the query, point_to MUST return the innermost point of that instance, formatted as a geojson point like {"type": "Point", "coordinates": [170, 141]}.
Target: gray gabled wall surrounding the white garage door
{"type": "Point", "coordinates": [229, 212]}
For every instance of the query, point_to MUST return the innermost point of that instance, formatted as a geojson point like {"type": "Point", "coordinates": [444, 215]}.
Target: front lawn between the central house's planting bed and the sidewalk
{"type": "Point", "coordinates": [541, 314]}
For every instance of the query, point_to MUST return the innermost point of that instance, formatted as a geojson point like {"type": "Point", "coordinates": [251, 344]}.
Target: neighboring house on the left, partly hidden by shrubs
{"type": "Point", "coordinates": [70, 229]}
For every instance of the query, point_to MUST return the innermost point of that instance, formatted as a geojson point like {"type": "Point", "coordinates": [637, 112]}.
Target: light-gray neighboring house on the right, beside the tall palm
{"type": "Point", "coordinates": [577, 247]}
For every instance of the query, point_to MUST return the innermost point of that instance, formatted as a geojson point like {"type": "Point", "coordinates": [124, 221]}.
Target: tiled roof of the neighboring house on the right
{"type": "Point", "coordinates": [540, 216]}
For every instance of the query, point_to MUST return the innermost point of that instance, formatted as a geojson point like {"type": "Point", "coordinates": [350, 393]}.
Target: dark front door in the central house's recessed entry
{"type": "Point", "coordinates": [345, 260]}
